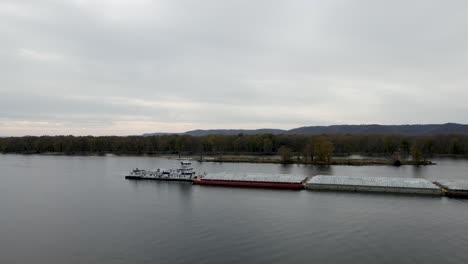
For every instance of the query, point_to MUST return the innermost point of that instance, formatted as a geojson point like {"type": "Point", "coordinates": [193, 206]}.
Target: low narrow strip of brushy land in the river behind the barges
{"type": "Point", "coordinates": [335, 161]}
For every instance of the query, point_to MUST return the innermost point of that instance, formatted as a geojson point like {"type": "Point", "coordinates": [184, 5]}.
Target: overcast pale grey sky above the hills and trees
{"type": "Point", "coordinates": [122, 67]}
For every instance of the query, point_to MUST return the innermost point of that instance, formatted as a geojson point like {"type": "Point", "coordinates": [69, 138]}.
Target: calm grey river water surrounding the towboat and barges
{"type": "Point", "coordinates": [71, 209]}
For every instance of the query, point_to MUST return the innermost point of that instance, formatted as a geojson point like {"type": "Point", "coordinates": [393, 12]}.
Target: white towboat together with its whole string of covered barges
{"type": "Point", "coordinates": [185, 173]}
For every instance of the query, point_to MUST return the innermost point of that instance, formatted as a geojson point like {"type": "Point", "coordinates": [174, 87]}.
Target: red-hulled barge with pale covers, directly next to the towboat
{"type": "Point", "coordinates": [278, 181]}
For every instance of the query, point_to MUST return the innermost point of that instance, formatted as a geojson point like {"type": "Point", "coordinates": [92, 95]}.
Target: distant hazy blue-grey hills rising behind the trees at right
{"type": "Point", "coordinates": [407, 130]}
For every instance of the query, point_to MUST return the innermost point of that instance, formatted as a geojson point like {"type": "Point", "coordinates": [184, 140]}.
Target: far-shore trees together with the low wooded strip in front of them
{"type": "Point", "coordinates": [316, 149]}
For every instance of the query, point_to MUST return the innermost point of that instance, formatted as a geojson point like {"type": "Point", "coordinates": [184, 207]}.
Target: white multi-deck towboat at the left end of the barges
{"type": "Point", "coordinates": [184, 173]}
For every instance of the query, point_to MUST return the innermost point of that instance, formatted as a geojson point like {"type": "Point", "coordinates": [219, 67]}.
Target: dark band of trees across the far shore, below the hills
{"type": "Point", "coordinates": [306, 146]}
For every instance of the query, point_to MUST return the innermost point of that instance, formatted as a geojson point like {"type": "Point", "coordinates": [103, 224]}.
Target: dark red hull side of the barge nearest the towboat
{"type": "Point", "coordinates": [250, 184]}
